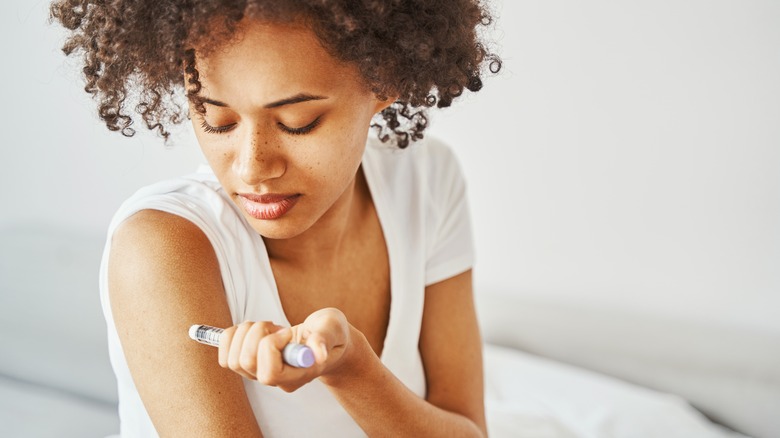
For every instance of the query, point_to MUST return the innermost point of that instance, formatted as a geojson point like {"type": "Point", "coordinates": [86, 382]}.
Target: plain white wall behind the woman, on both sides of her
{"type": "Point", "coordinates": [628, 155]}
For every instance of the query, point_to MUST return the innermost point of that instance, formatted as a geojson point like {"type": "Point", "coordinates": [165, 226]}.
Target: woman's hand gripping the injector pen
{"type": "Point", "coordinates": [254, 349]}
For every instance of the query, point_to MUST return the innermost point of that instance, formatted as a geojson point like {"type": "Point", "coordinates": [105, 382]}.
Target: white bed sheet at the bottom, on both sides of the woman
{"type": "Point", "coordinates": [526, 396]}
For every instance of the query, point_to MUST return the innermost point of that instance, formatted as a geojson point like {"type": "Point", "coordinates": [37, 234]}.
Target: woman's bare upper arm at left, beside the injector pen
{"type": "Point", "coordinates": [164, 276]}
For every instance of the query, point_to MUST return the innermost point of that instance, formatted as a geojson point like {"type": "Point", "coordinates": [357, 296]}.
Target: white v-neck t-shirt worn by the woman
{"type": "Point", "coordinates": [419, 195]}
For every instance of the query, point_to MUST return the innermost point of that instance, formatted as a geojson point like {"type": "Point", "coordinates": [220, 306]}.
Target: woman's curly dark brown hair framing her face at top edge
{"type": "Point", "coordinates": [426, 52]}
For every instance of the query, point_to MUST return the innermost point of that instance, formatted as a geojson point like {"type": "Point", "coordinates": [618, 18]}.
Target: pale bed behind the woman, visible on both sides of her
{"type": "Point", "coordinates": [552, 370]}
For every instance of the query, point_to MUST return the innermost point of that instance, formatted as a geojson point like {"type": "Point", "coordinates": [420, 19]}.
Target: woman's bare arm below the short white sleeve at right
{"type": "Point", "coordinates": [451, 348]}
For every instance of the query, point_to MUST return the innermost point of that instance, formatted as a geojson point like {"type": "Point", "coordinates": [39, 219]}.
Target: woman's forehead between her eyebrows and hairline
{"type": "Point", "coordinates": [263, 61]}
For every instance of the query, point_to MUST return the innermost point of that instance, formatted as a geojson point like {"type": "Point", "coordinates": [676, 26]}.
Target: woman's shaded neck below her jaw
{"type": "Point", "coordinates": [320, 245]}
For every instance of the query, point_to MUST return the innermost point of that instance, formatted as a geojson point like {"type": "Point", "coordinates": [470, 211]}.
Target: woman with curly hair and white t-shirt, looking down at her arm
{"type": "Point", "coordinates": [301, 229]}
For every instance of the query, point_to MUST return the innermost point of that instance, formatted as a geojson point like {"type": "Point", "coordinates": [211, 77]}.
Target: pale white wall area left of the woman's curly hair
{"type": "Point", "coordinates": [61, 164]}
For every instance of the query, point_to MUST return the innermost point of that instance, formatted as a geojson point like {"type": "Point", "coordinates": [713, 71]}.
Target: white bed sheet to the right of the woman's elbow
{"type": "Point", "coordinates": [529, 396]}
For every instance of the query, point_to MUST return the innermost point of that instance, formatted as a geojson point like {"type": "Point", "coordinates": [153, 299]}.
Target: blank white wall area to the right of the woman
{"type": "Point", "coordinates": [629, 156]}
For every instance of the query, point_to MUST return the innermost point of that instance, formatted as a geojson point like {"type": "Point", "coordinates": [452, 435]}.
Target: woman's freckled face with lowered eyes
{"type": "Point", "coordinates": [285, 126]}
